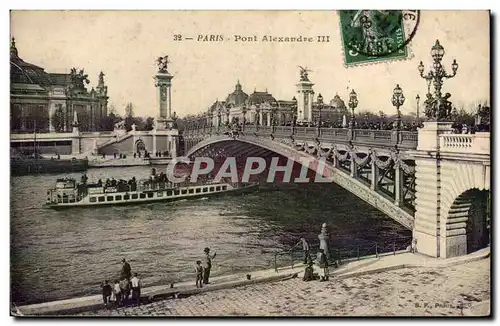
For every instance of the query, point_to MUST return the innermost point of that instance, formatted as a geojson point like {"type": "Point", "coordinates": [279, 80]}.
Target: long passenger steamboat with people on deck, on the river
{"type": "Point", "coordinates": [70, 193]}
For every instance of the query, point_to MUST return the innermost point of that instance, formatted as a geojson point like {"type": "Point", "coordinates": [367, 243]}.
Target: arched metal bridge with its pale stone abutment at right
{"type": "Point", "coordinates": [431, 181]}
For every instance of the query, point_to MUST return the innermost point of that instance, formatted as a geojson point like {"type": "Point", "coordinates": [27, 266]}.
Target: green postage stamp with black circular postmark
{"type": "Point", "coordinates": [377, 35]}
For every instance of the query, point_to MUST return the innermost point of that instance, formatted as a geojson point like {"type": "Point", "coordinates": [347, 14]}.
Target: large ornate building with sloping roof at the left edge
{"type": "Point", "coordinates": [48, 101]}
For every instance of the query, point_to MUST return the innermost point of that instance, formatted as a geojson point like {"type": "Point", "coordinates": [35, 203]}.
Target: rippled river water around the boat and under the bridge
{"type": "Point", "coordinates": [68, 253]}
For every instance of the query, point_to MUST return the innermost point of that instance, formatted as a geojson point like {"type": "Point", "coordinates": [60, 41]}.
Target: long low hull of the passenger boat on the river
{"type": "Point", "coordinates": [139, 201]}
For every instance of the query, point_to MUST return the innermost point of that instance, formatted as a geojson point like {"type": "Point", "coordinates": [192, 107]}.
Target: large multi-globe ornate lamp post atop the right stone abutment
{"type": "Point", "coordinates": [437, 111]}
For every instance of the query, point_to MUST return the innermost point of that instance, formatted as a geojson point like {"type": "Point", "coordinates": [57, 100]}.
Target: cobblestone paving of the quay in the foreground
{"type": "Point", "coordinates": [423, 291]}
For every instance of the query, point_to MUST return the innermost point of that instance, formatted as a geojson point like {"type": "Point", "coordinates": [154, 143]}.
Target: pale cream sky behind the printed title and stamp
{"type": "Point", "coordinates": [126, 44]}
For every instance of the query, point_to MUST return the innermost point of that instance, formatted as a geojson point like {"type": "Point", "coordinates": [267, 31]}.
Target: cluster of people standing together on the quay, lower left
{"type": "Point", "coordinates": [124, 291]}
